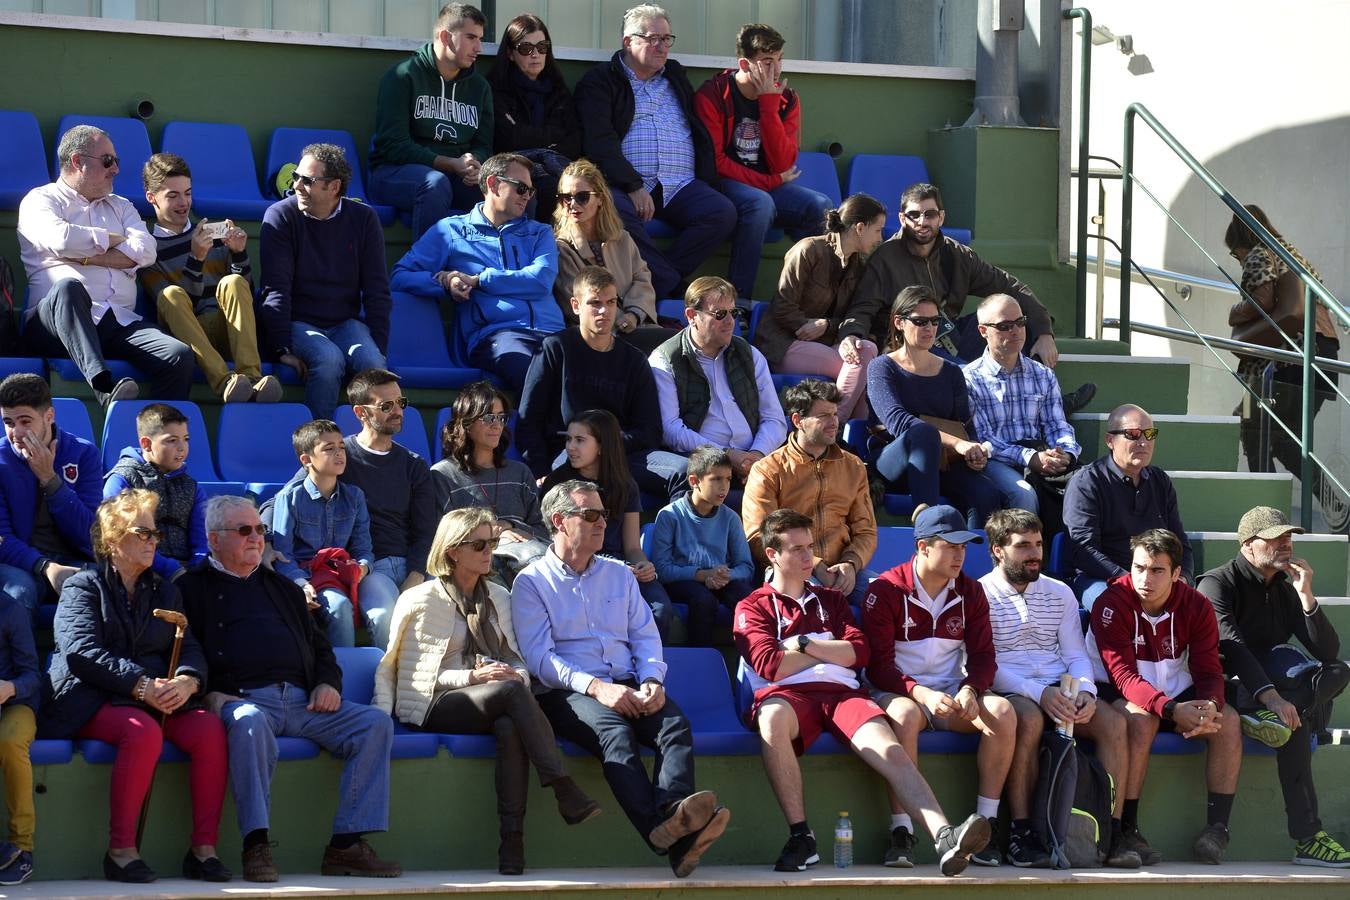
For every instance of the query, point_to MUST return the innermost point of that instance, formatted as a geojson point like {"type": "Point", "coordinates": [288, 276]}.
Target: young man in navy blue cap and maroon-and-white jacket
{"type": "Point", "coordinates": [932, 662]}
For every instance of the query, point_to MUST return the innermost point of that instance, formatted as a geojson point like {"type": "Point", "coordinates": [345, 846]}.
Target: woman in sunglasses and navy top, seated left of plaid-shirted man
{"type": "Point", "coordinates": [921, 401]}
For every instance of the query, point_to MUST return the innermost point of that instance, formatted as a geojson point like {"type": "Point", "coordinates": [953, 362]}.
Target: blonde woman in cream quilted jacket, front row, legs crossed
{"type": "Point", "coordinates": [454, 667]}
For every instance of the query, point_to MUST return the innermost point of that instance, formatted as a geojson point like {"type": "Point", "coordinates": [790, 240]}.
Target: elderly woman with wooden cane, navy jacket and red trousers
{"type": "Point", "coordinates": [111, 681]}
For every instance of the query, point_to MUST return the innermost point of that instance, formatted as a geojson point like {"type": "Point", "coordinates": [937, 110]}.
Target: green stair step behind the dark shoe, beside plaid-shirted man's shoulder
{"type": "Point", "coordinates": [1158, 384]}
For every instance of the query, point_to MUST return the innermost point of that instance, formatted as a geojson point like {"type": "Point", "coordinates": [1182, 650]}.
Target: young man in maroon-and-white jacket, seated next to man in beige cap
{"type": "Point", "coordinates": [1155, 647]}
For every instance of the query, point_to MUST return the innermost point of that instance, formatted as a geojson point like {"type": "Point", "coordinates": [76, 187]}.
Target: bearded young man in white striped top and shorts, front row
{"type": "Point", "coordinates": [1037, 638]}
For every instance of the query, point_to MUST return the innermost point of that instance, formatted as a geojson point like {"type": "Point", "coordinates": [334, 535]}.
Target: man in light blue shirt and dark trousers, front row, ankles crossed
{"type": "Point", "coordinates": [587, 634]}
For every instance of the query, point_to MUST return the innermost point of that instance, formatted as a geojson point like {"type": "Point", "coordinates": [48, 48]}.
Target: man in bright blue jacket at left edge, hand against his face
{"type": "Point", "coordinates": [51, 485]}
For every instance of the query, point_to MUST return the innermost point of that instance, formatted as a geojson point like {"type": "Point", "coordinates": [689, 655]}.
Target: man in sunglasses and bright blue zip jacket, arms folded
{"type": "Point", "coordinates": [497, 266]}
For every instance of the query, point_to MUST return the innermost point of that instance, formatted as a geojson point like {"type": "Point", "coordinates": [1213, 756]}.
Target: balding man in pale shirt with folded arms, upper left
{"type": "Point", "coordinates": [82, 246]}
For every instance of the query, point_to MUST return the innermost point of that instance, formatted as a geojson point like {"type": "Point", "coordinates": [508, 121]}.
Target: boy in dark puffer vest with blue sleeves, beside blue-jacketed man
{"type": "Point", "coordinates": [160, 465]}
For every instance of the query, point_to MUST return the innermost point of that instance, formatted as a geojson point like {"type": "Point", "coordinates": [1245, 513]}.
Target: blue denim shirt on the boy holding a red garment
{"type": "Point", "coordinates": [304, 523]}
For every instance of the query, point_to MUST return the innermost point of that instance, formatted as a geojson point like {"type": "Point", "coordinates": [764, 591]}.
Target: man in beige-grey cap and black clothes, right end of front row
{"type": "Point", "coordinates": [1263, 598]}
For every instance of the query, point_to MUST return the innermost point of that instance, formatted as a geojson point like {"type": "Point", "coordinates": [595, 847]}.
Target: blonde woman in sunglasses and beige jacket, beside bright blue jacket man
{"type": "Point", "coordinates": [591, 233]}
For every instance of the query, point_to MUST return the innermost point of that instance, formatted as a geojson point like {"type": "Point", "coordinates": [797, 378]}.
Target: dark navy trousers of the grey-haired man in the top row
{"type": "Point", "coordinates": [704, 219]}
